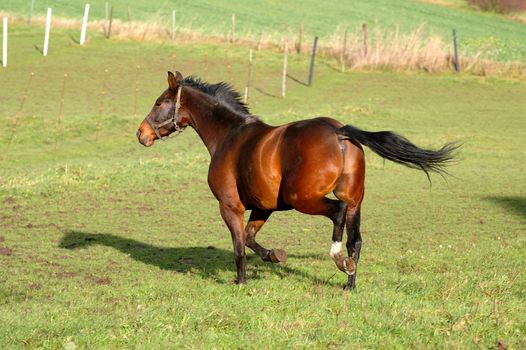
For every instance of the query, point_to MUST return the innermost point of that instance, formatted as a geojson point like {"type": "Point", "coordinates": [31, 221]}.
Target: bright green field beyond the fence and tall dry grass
{"type": "Point", "coordinates": [501, 38]}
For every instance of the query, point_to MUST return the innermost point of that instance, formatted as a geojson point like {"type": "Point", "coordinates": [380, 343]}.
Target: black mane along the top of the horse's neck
{"type": "Point", "coordinates": [223, 92]}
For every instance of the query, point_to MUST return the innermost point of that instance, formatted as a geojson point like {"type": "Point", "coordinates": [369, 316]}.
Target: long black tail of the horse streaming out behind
{"type": "Point", "coordinates": [400, 150]}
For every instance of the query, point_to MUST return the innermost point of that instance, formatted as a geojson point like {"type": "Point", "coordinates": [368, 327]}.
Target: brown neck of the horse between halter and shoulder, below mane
{"type": "Point", "coordinates": [211, 120]}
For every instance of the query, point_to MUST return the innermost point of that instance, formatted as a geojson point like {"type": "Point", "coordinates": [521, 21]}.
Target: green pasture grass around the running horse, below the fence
{"type": "Point", "coordinates": [106, 244]}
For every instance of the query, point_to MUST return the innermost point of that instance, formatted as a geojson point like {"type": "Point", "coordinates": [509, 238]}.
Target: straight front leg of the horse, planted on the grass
{"type": "Point", "coordinates": [233, 217]}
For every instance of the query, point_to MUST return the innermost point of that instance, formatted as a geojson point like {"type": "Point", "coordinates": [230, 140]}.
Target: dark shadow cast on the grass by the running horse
{"type": "Point", "coordinates": [207, 262]}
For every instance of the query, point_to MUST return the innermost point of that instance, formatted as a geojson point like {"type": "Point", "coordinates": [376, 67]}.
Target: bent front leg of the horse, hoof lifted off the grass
{"type": "Point", "coordinates": [255, 222]}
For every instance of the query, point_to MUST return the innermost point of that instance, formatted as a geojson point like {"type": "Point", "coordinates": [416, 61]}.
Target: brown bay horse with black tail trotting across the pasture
{"type": "Point", "coordinates": [263, 168]}
